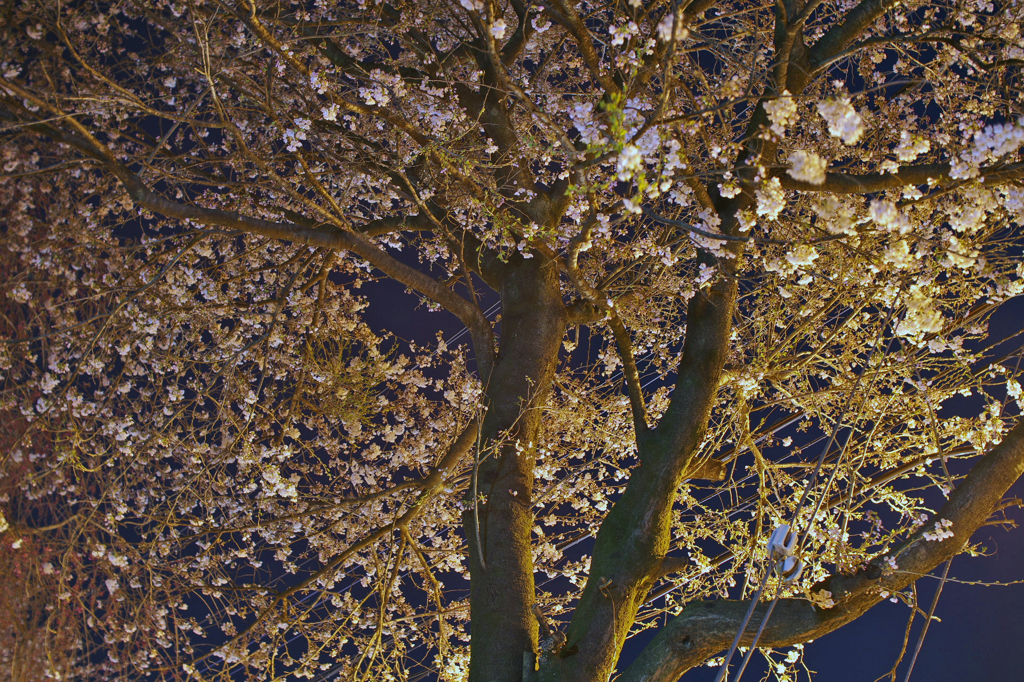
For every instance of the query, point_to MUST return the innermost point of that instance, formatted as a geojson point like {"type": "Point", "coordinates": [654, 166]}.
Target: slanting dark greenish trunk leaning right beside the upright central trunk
{"type": "Point", "coordinates": [634, 538]}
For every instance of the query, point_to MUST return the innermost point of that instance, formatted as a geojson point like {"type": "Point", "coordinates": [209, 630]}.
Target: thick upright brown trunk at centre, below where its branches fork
{"type": "Point", "coordinates": [499, 526]}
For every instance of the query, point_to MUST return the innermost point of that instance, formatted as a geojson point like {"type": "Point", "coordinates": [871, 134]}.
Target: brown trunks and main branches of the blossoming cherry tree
{"type": "Point", "coordinates": [632, 543]}
